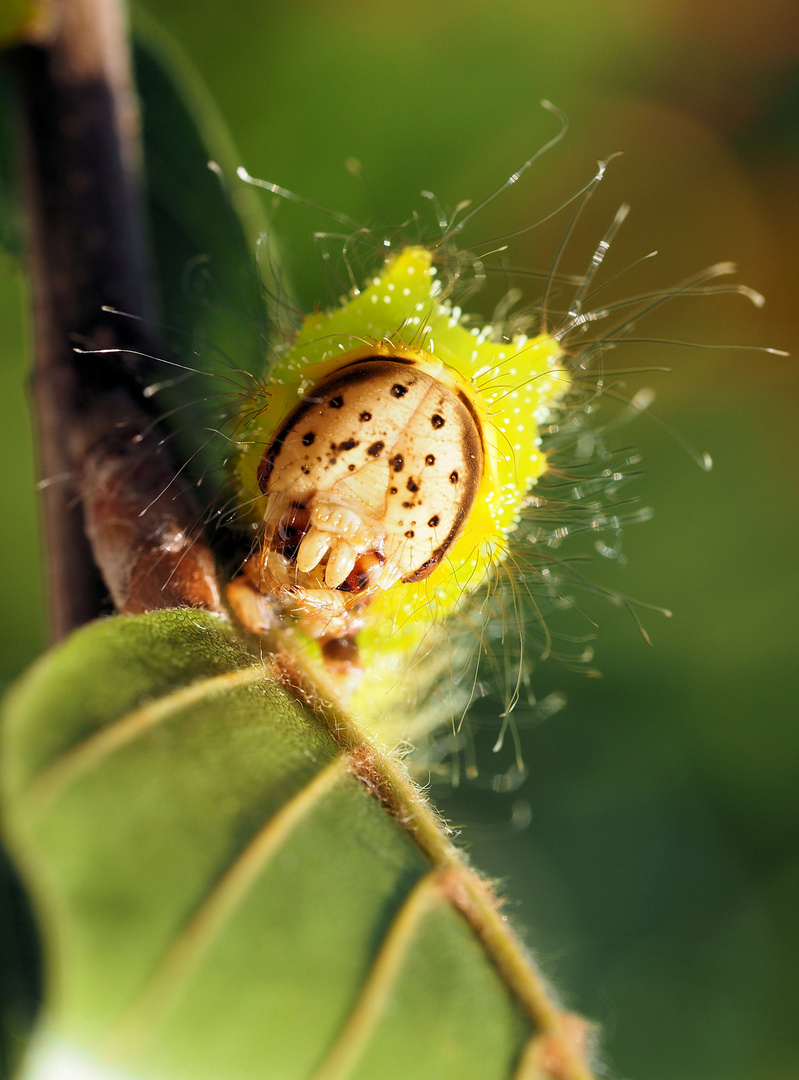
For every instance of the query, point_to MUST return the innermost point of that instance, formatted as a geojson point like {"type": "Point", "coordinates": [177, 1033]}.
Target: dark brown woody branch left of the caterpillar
{"type": "Point", "coordinates": [106, 467]}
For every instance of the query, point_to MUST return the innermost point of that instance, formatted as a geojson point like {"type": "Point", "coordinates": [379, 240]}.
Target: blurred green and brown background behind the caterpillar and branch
{"type": "Point", "coordinates": [658, 874]}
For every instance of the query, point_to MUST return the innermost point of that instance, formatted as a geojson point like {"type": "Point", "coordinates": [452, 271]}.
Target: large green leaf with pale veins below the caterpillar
{"type": "Point", "coordinates": [223, 892]}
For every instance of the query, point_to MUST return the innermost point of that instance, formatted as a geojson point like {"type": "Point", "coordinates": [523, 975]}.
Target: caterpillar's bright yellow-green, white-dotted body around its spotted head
{"type": "Point", "coordinates": [512, 386]}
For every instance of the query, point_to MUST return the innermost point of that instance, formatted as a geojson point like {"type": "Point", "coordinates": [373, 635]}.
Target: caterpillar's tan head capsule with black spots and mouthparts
{"type": "Point", "coordinates": [370, 481]}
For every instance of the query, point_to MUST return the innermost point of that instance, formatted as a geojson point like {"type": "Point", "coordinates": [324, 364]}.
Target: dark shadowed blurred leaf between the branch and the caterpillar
{"type": "Point", "coordinates": [205, 225]}
